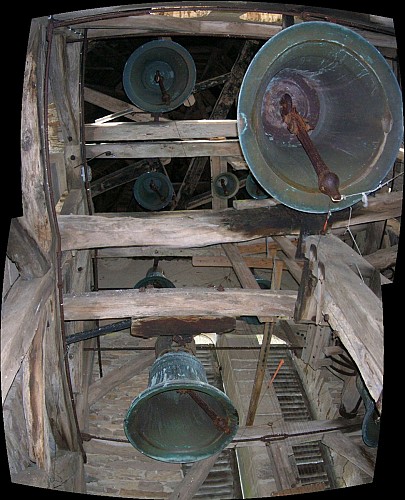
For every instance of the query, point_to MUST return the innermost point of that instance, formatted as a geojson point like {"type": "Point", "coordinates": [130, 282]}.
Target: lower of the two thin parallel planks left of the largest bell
{"type": "Point", "coordinates": [167, 149]}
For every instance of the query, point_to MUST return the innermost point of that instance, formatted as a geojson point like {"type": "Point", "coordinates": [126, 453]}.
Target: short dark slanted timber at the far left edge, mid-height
{"type": "Point", "coordinates": [23, 250]}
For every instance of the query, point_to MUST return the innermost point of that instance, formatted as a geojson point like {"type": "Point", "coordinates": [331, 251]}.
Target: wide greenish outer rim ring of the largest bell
{"type": "Point", "coordinates": [272, 183]}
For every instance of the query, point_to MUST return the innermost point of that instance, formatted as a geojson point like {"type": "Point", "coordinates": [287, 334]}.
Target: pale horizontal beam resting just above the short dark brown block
{"type": "Point", "coordinates": [167, 302]}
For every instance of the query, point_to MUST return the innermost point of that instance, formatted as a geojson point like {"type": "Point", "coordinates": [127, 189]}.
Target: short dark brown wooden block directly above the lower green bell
{"type": "Point", "coordinates": [189, 325]}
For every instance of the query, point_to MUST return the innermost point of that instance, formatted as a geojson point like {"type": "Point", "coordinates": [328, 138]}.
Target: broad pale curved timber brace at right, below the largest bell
{"type": "Point", "coordinates": [354, 311]}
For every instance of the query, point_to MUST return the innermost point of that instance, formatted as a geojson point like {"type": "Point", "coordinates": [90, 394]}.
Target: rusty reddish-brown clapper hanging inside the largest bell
{"type": "Point", "coordinates": [328, 182]}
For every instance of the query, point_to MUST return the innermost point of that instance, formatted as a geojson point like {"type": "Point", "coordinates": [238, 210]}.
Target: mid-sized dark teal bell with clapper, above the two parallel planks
{"type": "Point", "coordinates": [159, 76]}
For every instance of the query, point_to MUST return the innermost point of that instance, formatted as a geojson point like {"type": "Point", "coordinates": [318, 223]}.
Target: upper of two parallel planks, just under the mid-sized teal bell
{"type": "Point", "coordinates": [176, 129]}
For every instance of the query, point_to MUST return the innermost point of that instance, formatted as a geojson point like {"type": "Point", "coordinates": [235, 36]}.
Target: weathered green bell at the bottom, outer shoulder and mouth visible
{"type": "Point", "coordinates": [180, 418]}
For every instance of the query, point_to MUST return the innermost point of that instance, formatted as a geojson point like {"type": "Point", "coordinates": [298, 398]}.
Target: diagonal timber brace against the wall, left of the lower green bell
{"type": "Point", "coordinates": [113, 378]}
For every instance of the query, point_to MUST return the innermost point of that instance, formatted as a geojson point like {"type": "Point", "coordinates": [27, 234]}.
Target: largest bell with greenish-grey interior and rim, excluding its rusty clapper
{"type": "Point", "coordinates": [348, 97]}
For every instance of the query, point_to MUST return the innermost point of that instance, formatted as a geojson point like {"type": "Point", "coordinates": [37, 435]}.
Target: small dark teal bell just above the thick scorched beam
{"type": "Point", "coordinates": [153, 190]}
